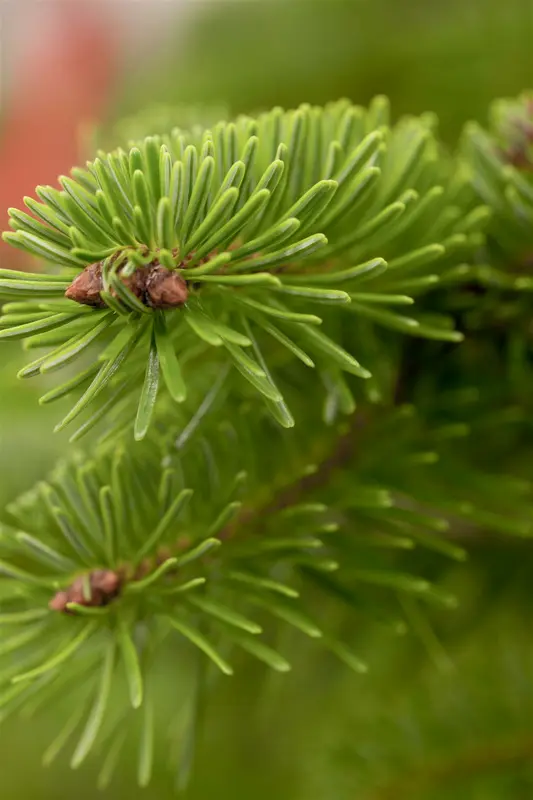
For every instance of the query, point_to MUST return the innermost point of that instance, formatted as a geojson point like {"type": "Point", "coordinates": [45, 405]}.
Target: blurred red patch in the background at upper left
{"type": "Point", "coordinates": [62, 83]}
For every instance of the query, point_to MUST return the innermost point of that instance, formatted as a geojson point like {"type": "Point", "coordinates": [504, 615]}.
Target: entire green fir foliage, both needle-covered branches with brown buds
{"type": "Point", "coordinates": [202, 288]}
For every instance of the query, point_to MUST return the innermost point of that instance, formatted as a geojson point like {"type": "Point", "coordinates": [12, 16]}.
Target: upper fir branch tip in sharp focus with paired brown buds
{"type": "Point", "coordinates": [255, 230]}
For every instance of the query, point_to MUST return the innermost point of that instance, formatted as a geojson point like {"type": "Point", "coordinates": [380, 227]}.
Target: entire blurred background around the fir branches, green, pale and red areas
{"type": "Point", "coordinates": [428, 722]}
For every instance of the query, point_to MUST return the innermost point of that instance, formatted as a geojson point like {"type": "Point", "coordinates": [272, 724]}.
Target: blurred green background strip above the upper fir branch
{"type": "Point", "coordinates": [452, 57]}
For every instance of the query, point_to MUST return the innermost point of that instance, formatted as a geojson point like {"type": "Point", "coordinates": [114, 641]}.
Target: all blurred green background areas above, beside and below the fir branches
{"type": "Point", "coordinates": [424, 725]}
